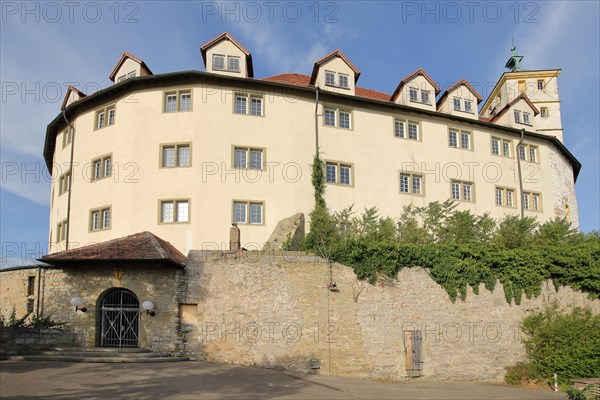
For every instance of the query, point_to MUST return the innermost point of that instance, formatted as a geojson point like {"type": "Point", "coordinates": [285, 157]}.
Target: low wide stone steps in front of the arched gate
{"type": "Point", "coordinates": [94, 355]}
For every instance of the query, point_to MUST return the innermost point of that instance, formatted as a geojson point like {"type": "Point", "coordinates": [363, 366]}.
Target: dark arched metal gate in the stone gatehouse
{"type": "Point", "coordinates": [120, 319]}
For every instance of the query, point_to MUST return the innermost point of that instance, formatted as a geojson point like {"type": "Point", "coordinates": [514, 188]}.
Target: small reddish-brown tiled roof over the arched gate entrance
{"type": "Point", "coordinates": [140, 247]}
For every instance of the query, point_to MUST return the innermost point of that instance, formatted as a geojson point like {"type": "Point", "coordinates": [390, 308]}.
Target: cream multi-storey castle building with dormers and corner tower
{"type": "Point", "coordinates": [185, 154]}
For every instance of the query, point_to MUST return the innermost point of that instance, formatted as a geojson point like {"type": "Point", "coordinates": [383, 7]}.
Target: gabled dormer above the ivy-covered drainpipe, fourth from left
{"type": "Point", "coordinates": [335, 73]}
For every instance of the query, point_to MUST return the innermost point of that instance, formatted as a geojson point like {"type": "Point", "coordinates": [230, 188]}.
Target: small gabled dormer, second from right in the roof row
{"type": "Point", "coordinates": [460, 99]}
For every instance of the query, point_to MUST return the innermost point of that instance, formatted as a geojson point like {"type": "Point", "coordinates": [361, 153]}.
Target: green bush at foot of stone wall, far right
{"type": "Point", "coordinates": [565, 343]}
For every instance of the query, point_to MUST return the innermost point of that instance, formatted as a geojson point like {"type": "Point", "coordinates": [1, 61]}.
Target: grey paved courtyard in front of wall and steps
{"type": "Point", "coordinates": [195, 380]}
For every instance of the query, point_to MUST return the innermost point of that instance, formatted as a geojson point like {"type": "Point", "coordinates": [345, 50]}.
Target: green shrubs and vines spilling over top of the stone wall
{"type": "Point", "coordinates": [461, 250]}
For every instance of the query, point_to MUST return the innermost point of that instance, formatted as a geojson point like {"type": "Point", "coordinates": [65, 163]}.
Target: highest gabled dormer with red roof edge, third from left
{"type": "Point", "coordinates": [226, 56]}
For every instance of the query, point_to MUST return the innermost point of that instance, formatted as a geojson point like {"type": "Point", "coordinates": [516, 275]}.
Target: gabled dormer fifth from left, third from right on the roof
{"type": "Point", "coordinates": [417, 90]}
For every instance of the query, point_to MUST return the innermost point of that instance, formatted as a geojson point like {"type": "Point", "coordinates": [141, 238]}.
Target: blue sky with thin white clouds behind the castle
{"type": "Point", "coordinates": [45, 46]}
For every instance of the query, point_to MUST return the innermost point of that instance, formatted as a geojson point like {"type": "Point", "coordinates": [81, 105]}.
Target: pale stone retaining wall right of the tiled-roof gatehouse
{"type": "Point", "coordinates": [278, 312]}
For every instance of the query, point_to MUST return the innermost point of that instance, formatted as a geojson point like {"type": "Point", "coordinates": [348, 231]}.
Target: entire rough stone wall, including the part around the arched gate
{"type": "Point", "coordinates": [276, 310]}
